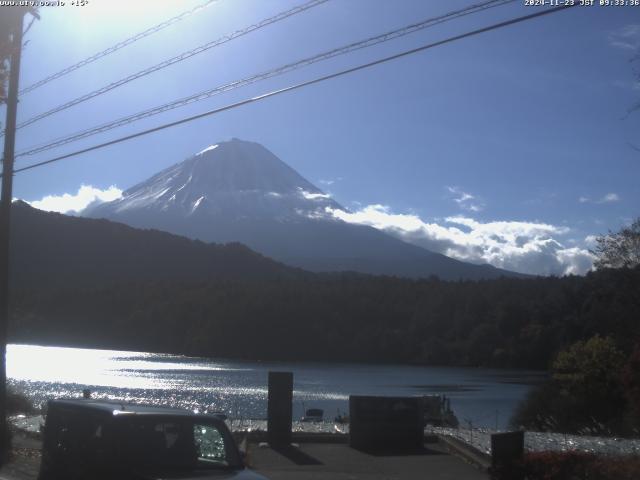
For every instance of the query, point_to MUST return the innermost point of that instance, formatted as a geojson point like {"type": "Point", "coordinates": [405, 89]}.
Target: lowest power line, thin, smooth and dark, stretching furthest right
{"type": "Point", "coordinates": [299, 85]}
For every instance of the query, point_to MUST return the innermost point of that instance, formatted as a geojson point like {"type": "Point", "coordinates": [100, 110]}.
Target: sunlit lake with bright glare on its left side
{"type": "Point", "coordinates": [484, 397]}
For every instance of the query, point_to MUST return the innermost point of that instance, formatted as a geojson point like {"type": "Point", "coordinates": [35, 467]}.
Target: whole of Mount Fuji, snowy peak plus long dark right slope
{"type": "Point", "coordinates": [238, 191]}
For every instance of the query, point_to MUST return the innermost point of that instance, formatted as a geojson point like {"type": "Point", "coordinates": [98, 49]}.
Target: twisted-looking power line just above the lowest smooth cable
{"type": "Point", "coordinates": [368, 42]}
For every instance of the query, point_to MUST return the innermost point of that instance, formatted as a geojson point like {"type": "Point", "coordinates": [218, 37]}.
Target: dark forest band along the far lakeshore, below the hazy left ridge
{"type": "Point", "coordinates": [505, 322]}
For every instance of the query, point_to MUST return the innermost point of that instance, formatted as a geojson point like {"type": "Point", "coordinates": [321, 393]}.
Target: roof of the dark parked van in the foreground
{"type": "Point", "coordinates": [117, 408]}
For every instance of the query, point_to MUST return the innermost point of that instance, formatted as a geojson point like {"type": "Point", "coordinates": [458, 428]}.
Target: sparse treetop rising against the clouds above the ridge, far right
{"type": "Point", "coordinates": [619, 250]}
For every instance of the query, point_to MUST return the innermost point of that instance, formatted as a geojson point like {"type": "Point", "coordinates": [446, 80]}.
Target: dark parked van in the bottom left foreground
{"type": "Point", "coordinates": [100, 440]}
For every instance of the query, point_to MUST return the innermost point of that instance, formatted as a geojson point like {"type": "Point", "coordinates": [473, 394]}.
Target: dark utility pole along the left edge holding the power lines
{"type": "Point", "coordinates": [15, 34]}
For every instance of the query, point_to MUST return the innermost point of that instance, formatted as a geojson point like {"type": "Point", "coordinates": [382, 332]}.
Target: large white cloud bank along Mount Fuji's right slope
{"type": "Point", "coordinates": [526, 247]}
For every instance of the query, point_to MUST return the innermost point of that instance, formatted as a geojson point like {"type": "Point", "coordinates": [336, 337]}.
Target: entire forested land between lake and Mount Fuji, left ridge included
{"type": "Point", "coordinates": [97, 283]}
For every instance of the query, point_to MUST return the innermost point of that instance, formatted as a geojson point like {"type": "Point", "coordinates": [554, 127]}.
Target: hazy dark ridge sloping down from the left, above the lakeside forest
{"type": "Point", "coordinates": [50, 249]}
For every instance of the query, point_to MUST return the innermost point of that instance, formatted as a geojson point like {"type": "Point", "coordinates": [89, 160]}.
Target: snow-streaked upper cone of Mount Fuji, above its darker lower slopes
{"type": "Point", "coordinates": [228, 179]}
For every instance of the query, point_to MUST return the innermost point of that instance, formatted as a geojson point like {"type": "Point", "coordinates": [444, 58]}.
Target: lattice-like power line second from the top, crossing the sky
{"type": "Point", "coordinates": [179, 58]}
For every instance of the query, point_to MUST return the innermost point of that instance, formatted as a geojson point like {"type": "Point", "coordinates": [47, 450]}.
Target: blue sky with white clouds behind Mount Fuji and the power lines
{"type": "Point", "coordinates": [513, 147]}
